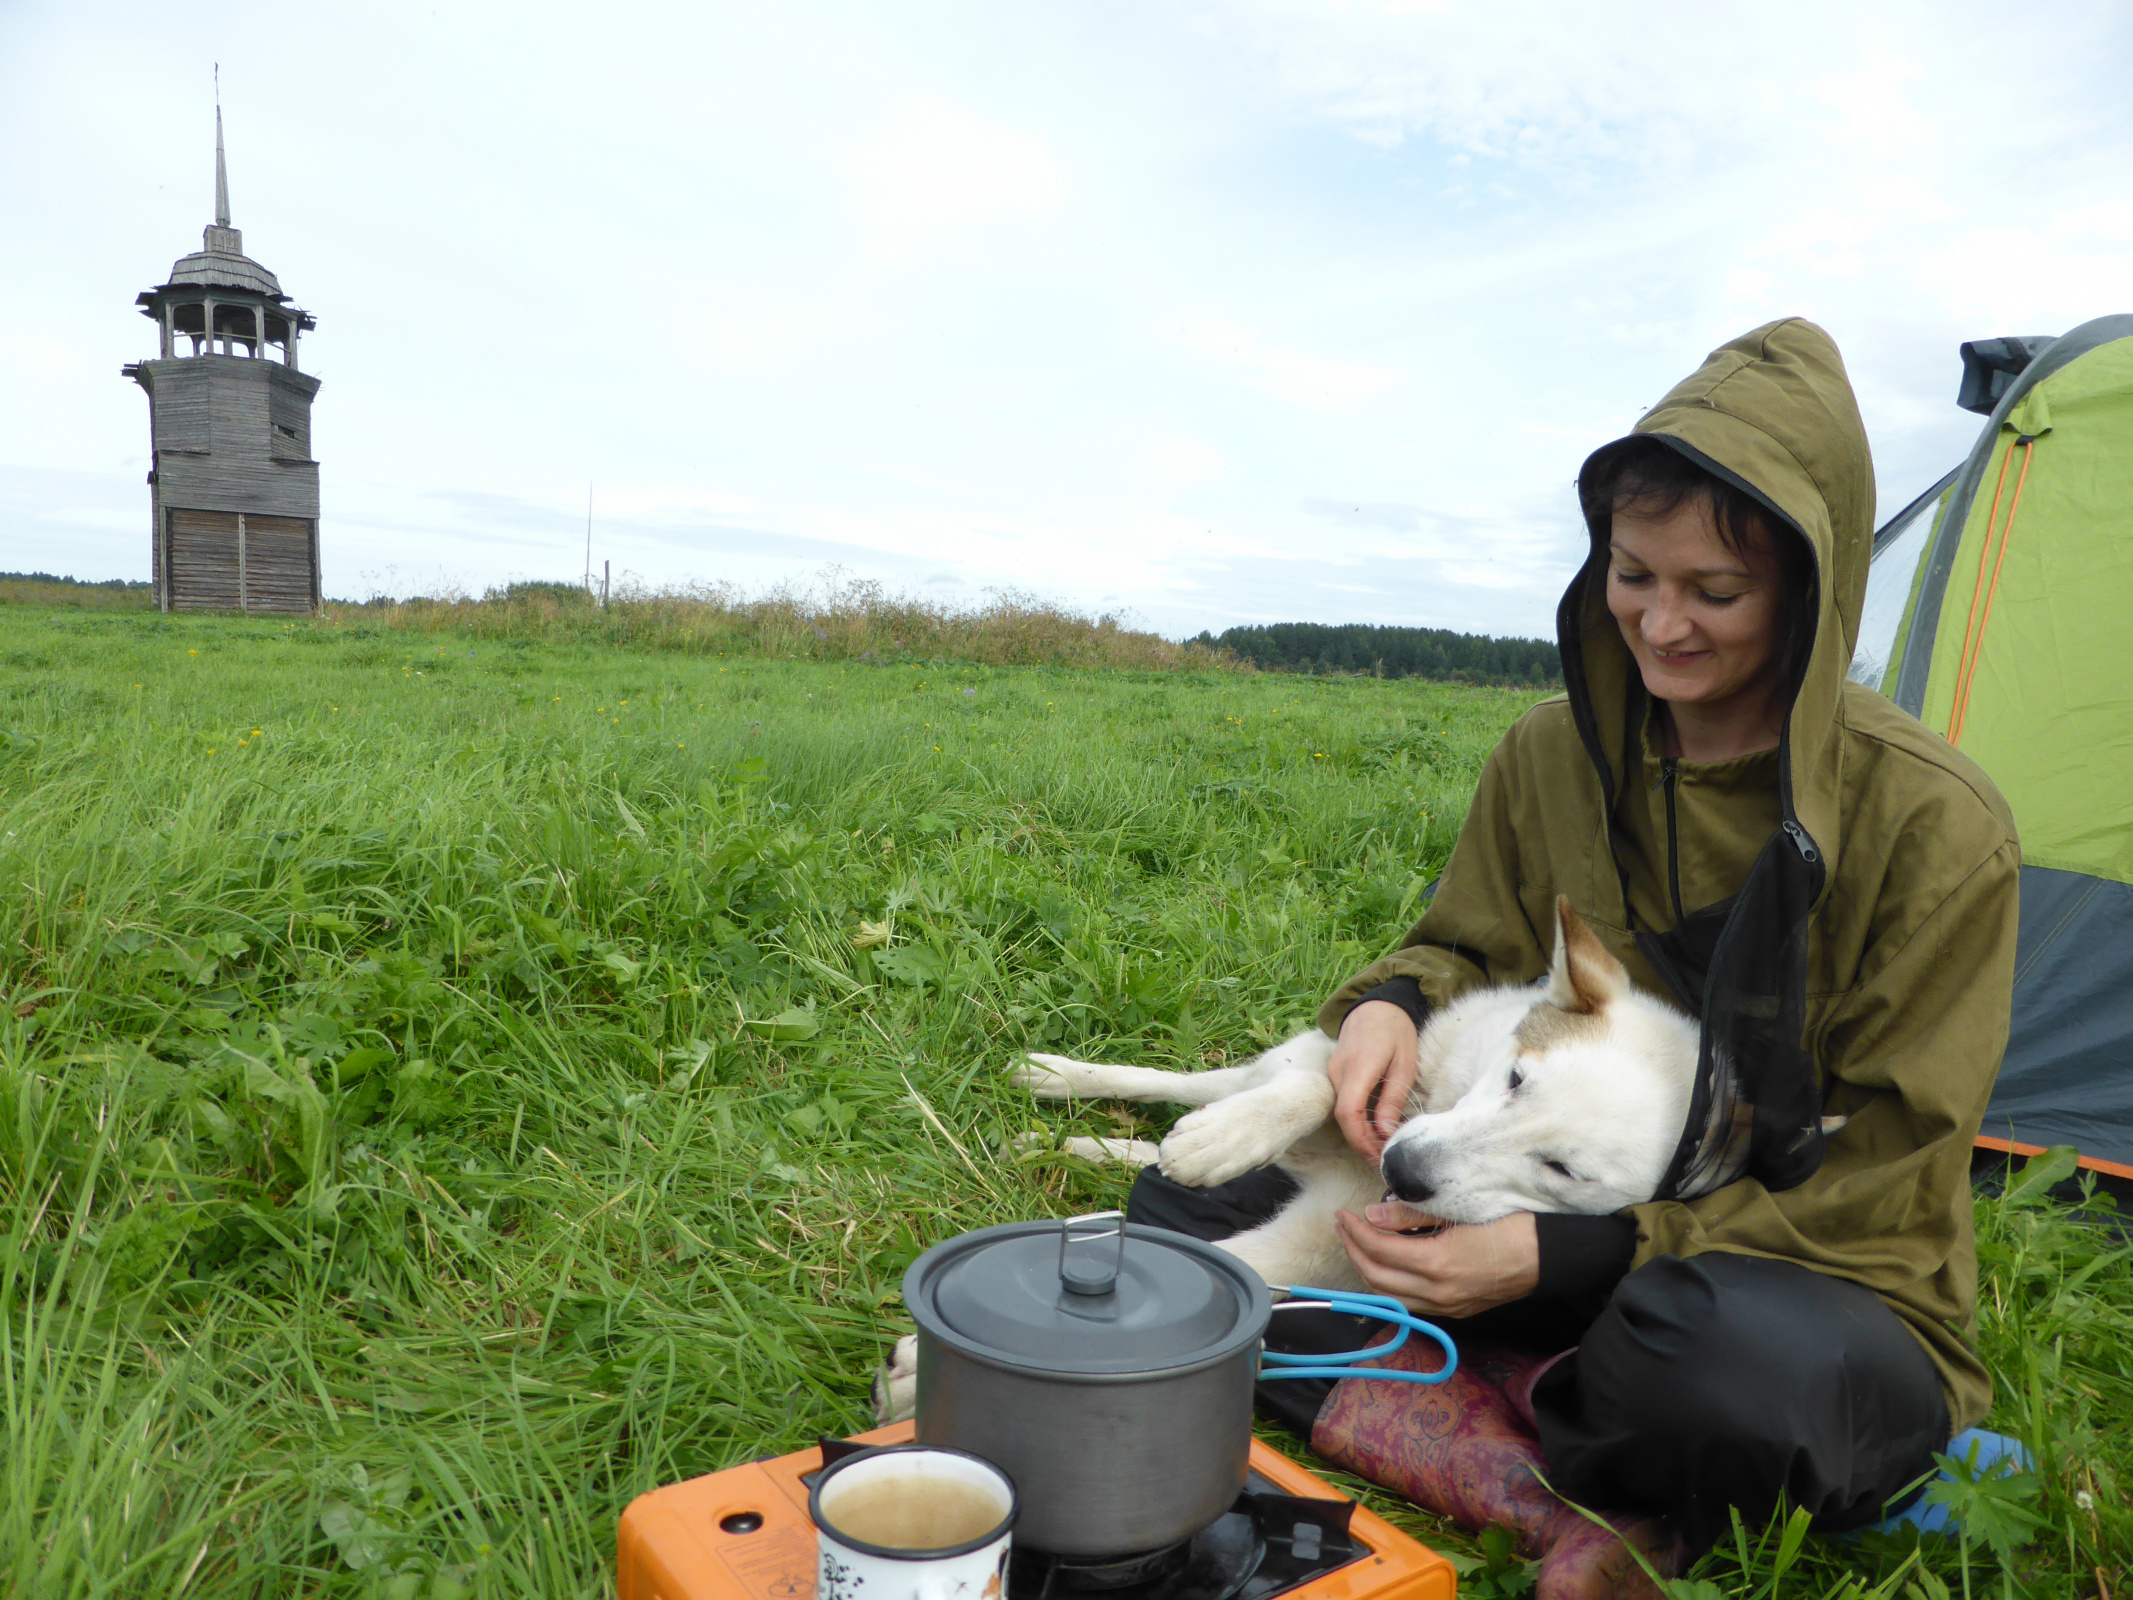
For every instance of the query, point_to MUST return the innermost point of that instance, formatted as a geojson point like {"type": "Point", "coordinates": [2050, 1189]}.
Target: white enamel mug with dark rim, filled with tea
{"type": "Point", "coordinates": [912, 1522]}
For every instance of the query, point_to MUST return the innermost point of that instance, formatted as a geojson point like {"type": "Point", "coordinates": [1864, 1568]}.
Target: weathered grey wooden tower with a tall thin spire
{"type": "Point", "coordinates": [231, 475]}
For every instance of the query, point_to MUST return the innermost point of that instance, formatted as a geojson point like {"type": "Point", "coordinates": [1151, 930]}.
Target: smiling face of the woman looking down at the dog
{"type": "Point", "coordinates": [1705, 624]}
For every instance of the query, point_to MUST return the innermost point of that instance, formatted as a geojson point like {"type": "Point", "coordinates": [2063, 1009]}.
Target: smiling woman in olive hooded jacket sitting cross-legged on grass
{"type": "Point", "coordinates": [1833, 891]}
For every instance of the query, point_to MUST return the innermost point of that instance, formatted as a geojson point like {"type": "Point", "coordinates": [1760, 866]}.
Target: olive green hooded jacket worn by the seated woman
{"type": "Point", "coordinates": [1910, 906]}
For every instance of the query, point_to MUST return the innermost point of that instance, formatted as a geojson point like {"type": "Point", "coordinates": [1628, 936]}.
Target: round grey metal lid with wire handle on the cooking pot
{"type": "Point", "coordinates": [1087, 1296]}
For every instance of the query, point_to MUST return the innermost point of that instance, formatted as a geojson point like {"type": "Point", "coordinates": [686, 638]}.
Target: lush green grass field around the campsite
{"type": "Point", "coordinates": [455, 1085]}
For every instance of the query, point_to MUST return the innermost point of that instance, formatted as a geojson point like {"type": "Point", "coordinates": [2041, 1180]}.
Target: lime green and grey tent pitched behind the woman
{"type": "Point", "coordinates": [2000, 611]}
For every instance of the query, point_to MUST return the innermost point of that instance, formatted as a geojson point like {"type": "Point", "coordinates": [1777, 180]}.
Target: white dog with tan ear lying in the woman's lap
{"type": "Point", "coordinates": [1567, 1095]}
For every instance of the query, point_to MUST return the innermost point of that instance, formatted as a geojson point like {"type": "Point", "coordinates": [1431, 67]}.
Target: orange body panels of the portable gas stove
{"type": "Point", "coordinates": [745, 1535]}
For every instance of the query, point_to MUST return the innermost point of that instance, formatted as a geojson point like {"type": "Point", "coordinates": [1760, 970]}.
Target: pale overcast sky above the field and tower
{"type": "Point", "coordinates": [1202, 313]}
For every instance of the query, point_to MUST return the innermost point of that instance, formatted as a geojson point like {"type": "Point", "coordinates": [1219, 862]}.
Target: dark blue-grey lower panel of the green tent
{"type": "Point", "coordinates": [2068, 1076]}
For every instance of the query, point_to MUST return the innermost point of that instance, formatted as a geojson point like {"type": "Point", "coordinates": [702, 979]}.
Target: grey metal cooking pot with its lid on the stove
{"type": "Point", "coordinates": [1106, 1366]}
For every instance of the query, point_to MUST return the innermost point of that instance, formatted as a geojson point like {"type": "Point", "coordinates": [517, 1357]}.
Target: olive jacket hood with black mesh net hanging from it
{"type": "Point", "coordinates": [1774, 415]}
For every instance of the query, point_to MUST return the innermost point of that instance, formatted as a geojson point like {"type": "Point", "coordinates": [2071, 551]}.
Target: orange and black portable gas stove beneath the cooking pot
{"type": "Point", "coordinates": [745, 1535]}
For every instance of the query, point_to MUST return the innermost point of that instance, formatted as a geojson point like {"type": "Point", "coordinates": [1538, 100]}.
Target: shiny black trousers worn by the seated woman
{"type": "Point", "coordinates": [1699, 1386]}
